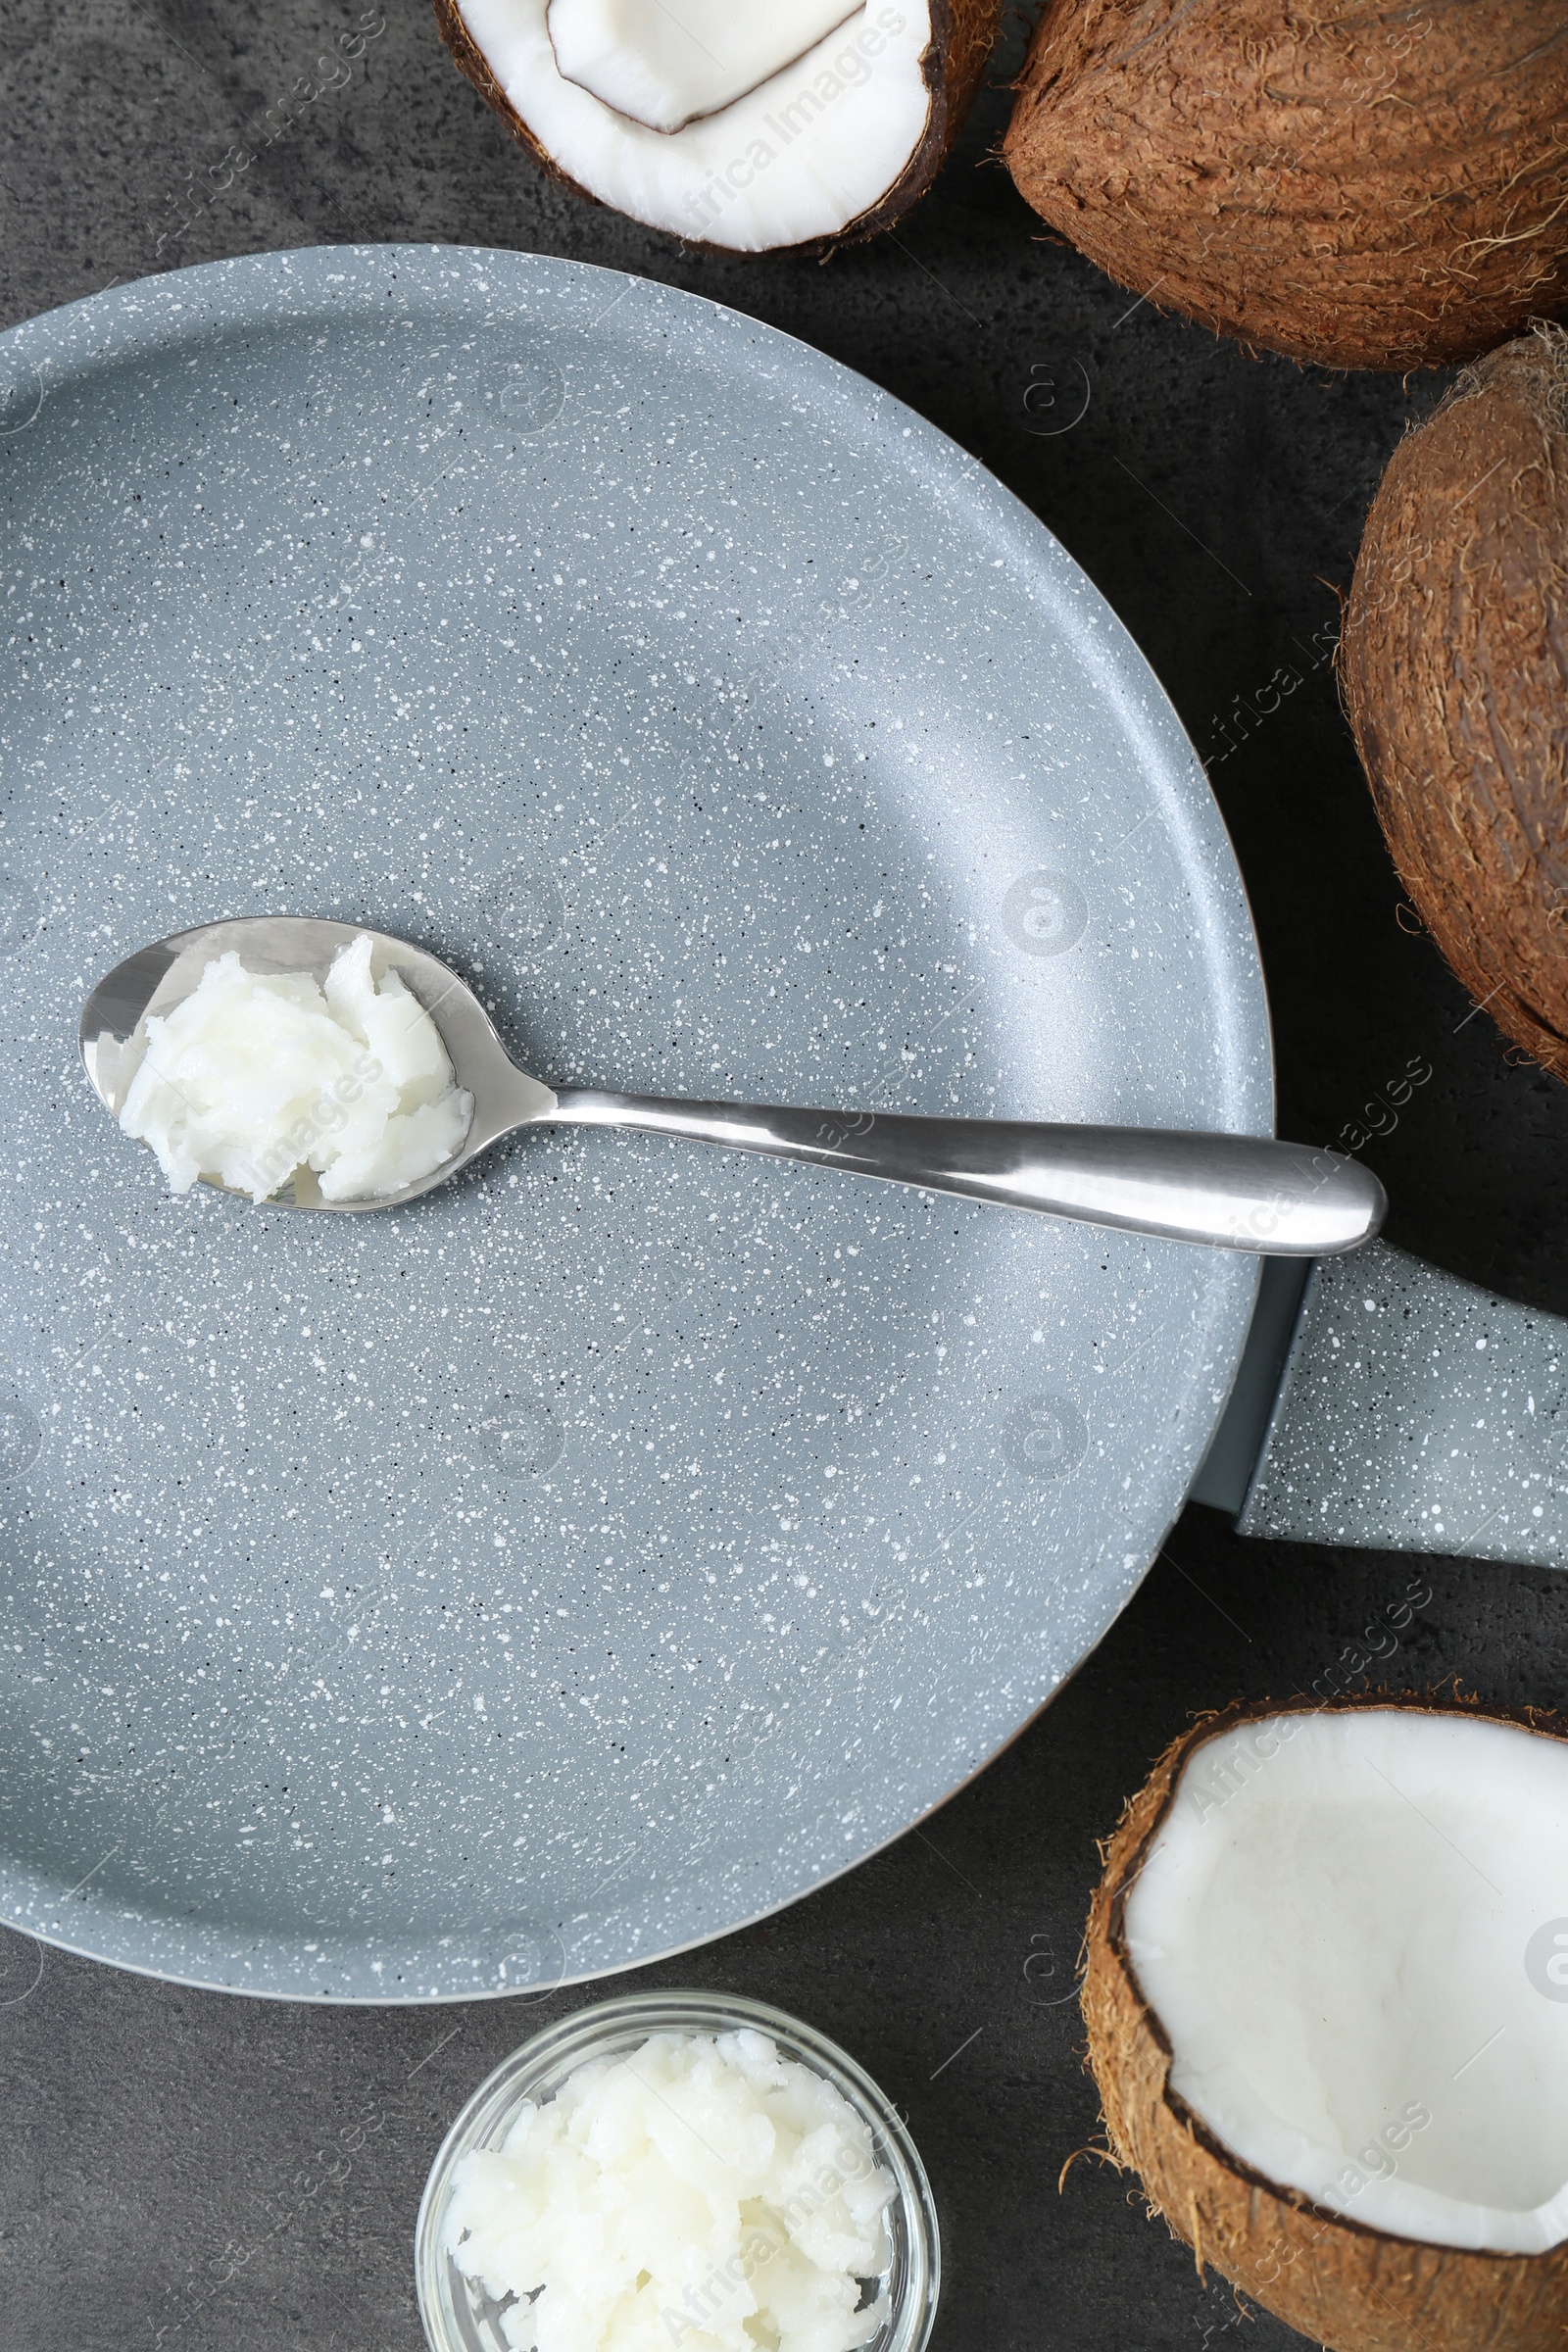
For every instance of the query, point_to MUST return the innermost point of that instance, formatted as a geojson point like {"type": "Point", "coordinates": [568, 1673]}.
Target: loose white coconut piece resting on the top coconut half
{"type": "Point", "coordinates": [666, 62]}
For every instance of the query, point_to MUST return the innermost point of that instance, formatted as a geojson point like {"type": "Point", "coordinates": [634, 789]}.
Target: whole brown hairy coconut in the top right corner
{"type": "Point", "coordinates": [1339, 180]}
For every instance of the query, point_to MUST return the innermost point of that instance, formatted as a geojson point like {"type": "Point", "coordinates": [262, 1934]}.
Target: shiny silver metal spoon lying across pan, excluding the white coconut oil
{"type": "Point", "coordinates": [1228, 1191]}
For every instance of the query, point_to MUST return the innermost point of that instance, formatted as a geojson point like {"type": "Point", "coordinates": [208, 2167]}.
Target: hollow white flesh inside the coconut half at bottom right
{"type": "Point", "coordinates": [1353, 1930]}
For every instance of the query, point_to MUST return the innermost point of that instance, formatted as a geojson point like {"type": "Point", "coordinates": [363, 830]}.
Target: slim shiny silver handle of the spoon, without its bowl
{"type": "Point", "coordinates": [1280, 1201]}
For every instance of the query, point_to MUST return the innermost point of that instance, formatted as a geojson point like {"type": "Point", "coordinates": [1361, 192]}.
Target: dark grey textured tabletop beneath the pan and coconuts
{"type": "Point", "coordinates": [199, 2172]}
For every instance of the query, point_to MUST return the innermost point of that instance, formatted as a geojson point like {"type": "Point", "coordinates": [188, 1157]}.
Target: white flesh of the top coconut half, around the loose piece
{"type": "Point", "coordinates": [791, 161]}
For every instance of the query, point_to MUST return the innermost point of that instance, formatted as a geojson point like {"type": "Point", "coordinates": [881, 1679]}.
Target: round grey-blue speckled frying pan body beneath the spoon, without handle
{"type": "Point", "coordinates": [626, 1539]}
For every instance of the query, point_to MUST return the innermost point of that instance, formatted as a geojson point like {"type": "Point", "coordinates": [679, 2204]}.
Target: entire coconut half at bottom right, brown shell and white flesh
{"type": "Point", "coordinates": [1327, 2005]}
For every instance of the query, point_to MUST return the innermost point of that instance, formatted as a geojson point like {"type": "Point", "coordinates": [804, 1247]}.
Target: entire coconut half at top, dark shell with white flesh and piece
{"type": "Point", "coordinates": [746, 126]}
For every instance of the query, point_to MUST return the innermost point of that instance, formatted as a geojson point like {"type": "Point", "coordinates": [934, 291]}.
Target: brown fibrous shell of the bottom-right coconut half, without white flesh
{"type": "Point", "coordinates": [1343, 2285]}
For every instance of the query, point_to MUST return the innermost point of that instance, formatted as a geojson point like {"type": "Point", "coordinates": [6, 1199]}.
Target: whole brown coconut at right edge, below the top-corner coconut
{"type": "Point", "coordinates": [1456, 679]}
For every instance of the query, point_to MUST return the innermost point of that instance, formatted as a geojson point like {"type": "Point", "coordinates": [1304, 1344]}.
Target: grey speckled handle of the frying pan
{"type": "Point", "coordinates": [1400, 1410]}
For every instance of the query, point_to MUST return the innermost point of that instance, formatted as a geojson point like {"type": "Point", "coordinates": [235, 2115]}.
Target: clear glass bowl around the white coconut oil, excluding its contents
{"type": "Point", "coordinates": [462, 2318]}
